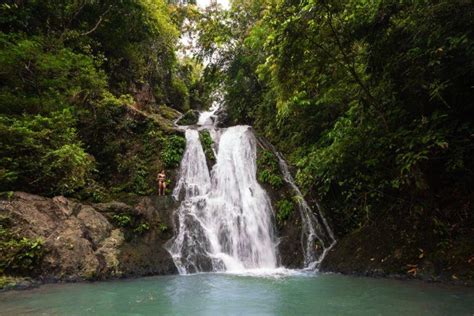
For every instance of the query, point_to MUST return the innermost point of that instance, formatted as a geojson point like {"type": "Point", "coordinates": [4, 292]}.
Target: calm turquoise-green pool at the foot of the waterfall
{"type": "Point", "coordinates": [223, 294]}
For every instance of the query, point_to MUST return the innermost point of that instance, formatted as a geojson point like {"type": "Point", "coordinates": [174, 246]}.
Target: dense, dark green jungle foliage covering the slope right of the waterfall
{"type": "Point", "coordinates": [371, 101]}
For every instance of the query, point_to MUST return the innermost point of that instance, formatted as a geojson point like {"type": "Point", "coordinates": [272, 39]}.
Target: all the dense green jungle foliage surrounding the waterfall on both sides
{"type": "Point", "coordinates": [369, 100]}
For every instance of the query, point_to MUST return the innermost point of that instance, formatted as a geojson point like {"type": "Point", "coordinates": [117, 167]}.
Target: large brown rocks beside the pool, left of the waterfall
{"type": "Point", "coordinates": [83, 242]}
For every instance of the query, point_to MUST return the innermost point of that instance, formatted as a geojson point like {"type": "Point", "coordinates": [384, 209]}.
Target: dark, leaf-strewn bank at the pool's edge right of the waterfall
{"type": "Point", "coordinates": [379, 250]}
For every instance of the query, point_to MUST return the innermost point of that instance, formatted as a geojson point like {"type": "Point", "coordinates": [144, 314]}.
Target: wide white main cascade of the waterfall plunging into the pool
{"type": "Point", "coordinates": [225, 221]}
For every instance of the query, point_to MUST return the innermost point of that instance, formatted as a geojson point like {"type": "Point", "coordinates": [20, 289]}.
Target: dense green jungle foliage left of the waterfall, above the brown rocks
{"type": "Point", "coordinates": [88, 93]}
